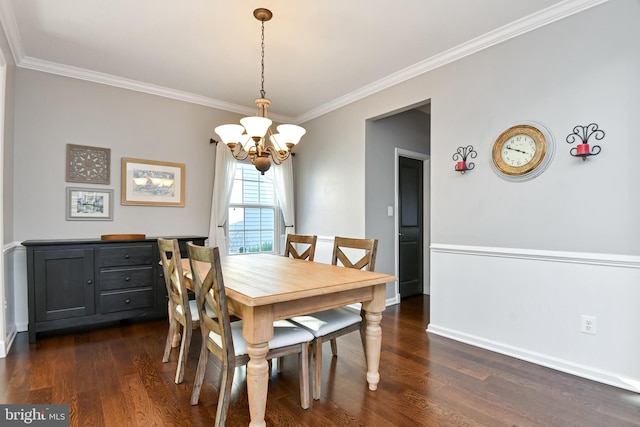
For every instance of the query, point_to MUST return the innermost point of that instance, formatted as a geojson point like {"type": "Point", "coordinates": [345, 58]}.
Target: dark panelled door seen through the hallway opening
{"type": "Point", "coordinates": [410, 227]}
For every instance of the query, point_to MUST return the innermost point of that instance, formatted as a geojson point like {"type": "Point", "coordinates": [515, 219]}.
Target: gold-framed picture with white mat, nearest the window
{"type": "Point", "coordinates": [152, 183]}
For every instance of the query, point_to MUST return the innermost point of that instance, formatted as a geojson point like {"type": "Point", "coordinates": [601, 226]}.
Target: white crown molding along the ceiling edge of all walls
{"type": "Point", "coordinates": [529, 23]}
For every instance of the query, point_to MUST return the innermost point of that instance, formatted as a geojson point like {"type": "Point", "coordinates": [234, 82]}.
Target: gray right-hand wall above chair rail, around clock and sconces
{"type": "Point", "coordinates": [575, 71]}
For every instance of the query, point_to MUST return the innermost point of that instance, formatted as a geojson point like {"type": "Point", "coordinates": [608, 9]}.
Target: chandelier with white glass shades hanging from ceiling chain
{"type": "Point", "coordinates": [253, 137]}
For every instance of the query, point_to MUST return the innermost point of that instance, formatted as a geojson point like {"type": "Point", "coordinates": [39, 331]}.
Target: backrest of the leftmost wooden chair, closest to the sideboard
{"type": "Point", "coordinates": [173, 274]}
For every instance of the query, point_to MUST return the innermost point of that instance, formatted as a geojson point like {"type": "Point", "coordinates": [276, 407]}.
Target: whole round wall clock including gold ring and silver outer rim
{"type": "Point", "coordinates": [522, 151]}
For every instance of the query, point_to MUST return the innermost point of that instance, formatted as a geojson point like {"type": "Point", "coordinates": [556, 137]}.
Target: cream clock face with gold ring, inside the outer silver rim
{"type": "Point", "coordinates": [519, 150]}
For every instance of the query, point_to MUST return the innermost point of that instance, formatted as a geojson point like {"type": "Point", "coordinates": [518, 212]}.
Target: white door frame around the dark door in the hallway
{"type": "Point", "coordinates": [400, 152]}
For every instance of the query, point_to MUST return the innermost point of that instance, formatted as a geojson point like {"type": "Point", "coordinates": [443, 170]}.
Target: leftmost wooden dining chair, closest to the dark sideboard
{"type": "Point", "coordinates": [182, 312]}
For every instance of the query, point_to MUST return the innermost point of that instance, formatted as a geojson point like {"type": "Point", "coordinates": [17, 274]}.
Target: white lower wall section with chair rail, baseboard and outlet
{"type": "Point", "coordinates": [528, 304]}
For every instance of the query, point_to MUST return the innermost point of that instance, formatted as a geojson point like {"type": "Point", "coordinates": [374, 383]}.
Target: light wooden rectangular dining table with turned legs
{"type": "Point", "coordinates": [262, 288]}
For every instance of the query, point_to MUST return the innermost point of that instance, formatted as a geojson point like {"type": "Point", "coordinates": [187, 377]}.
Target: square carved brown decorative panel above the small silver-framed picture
{"type": "Point", "coordinates": [88, 164]}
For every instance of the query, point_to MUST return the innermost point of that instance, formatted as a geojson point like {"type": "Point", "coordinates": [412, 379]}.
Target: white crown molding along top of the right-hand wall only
{"type": "Point", "coordinates": [529, 23]}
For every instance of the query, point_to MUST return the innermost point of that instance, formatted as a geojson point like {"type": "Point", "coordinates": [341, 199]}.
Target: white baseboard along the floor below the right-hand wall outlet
{"type": "Point", "coordinates": [566, 366]}
